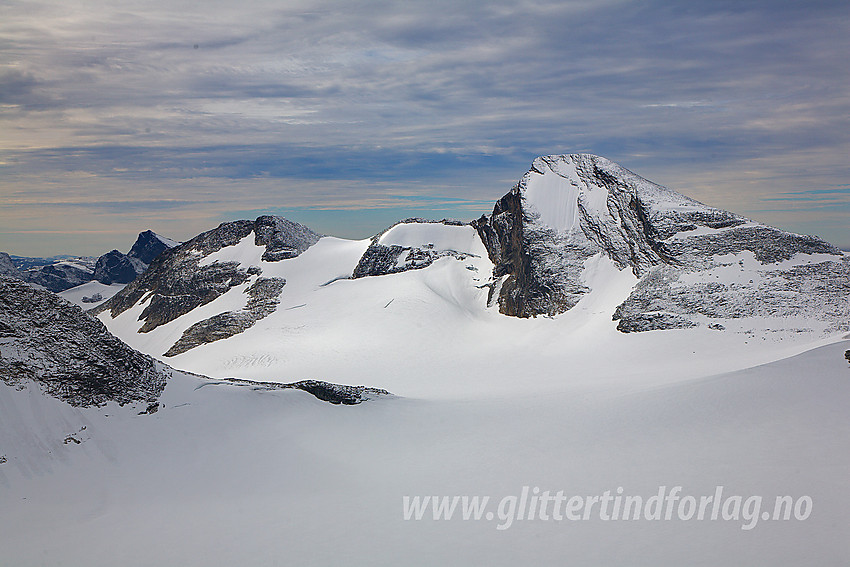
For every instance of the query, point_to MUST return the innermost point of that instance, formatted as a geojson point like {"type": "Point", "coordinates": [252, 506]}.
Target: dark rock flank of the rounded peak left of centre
{"type": "Point", "coordinates": [176, 282]}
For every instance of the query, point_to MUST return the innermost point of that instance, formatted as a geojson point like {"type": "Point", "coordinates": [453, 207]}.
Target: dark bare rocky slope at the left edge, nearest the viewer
{"type": "Point", "coordinates": [70, 355]}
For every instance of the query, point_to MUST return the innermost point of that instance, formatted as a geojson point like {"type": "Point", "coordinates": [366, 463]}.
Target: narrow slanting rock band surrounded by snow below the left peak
{"type": "Point", "coordinates": [263, 299]}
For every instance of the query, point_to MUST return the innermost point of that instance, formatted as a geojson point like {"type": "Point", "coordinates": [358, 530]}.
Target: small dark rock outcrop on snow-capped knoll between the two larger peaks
{"type": "Point", "coordinates": [379, 259]}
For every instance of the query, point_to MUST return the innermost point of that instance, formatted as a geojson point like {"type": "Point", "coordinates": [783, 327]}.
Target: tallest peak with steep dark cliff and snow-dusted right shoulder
{"type": "Point", "coordinates": [695, 263]}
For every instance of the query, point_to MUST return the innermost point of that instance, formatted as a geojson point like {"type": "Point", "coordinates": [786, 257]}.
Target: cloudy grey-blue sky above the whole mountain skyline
{"type": "Point", "coordinates": [120, 116]}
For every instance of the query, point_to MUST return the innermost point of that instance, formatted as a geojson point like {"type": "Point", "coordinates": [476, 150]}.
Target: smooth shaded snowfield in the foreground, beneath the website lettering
{"type": "Point", "coordinates": [227, 475]}
